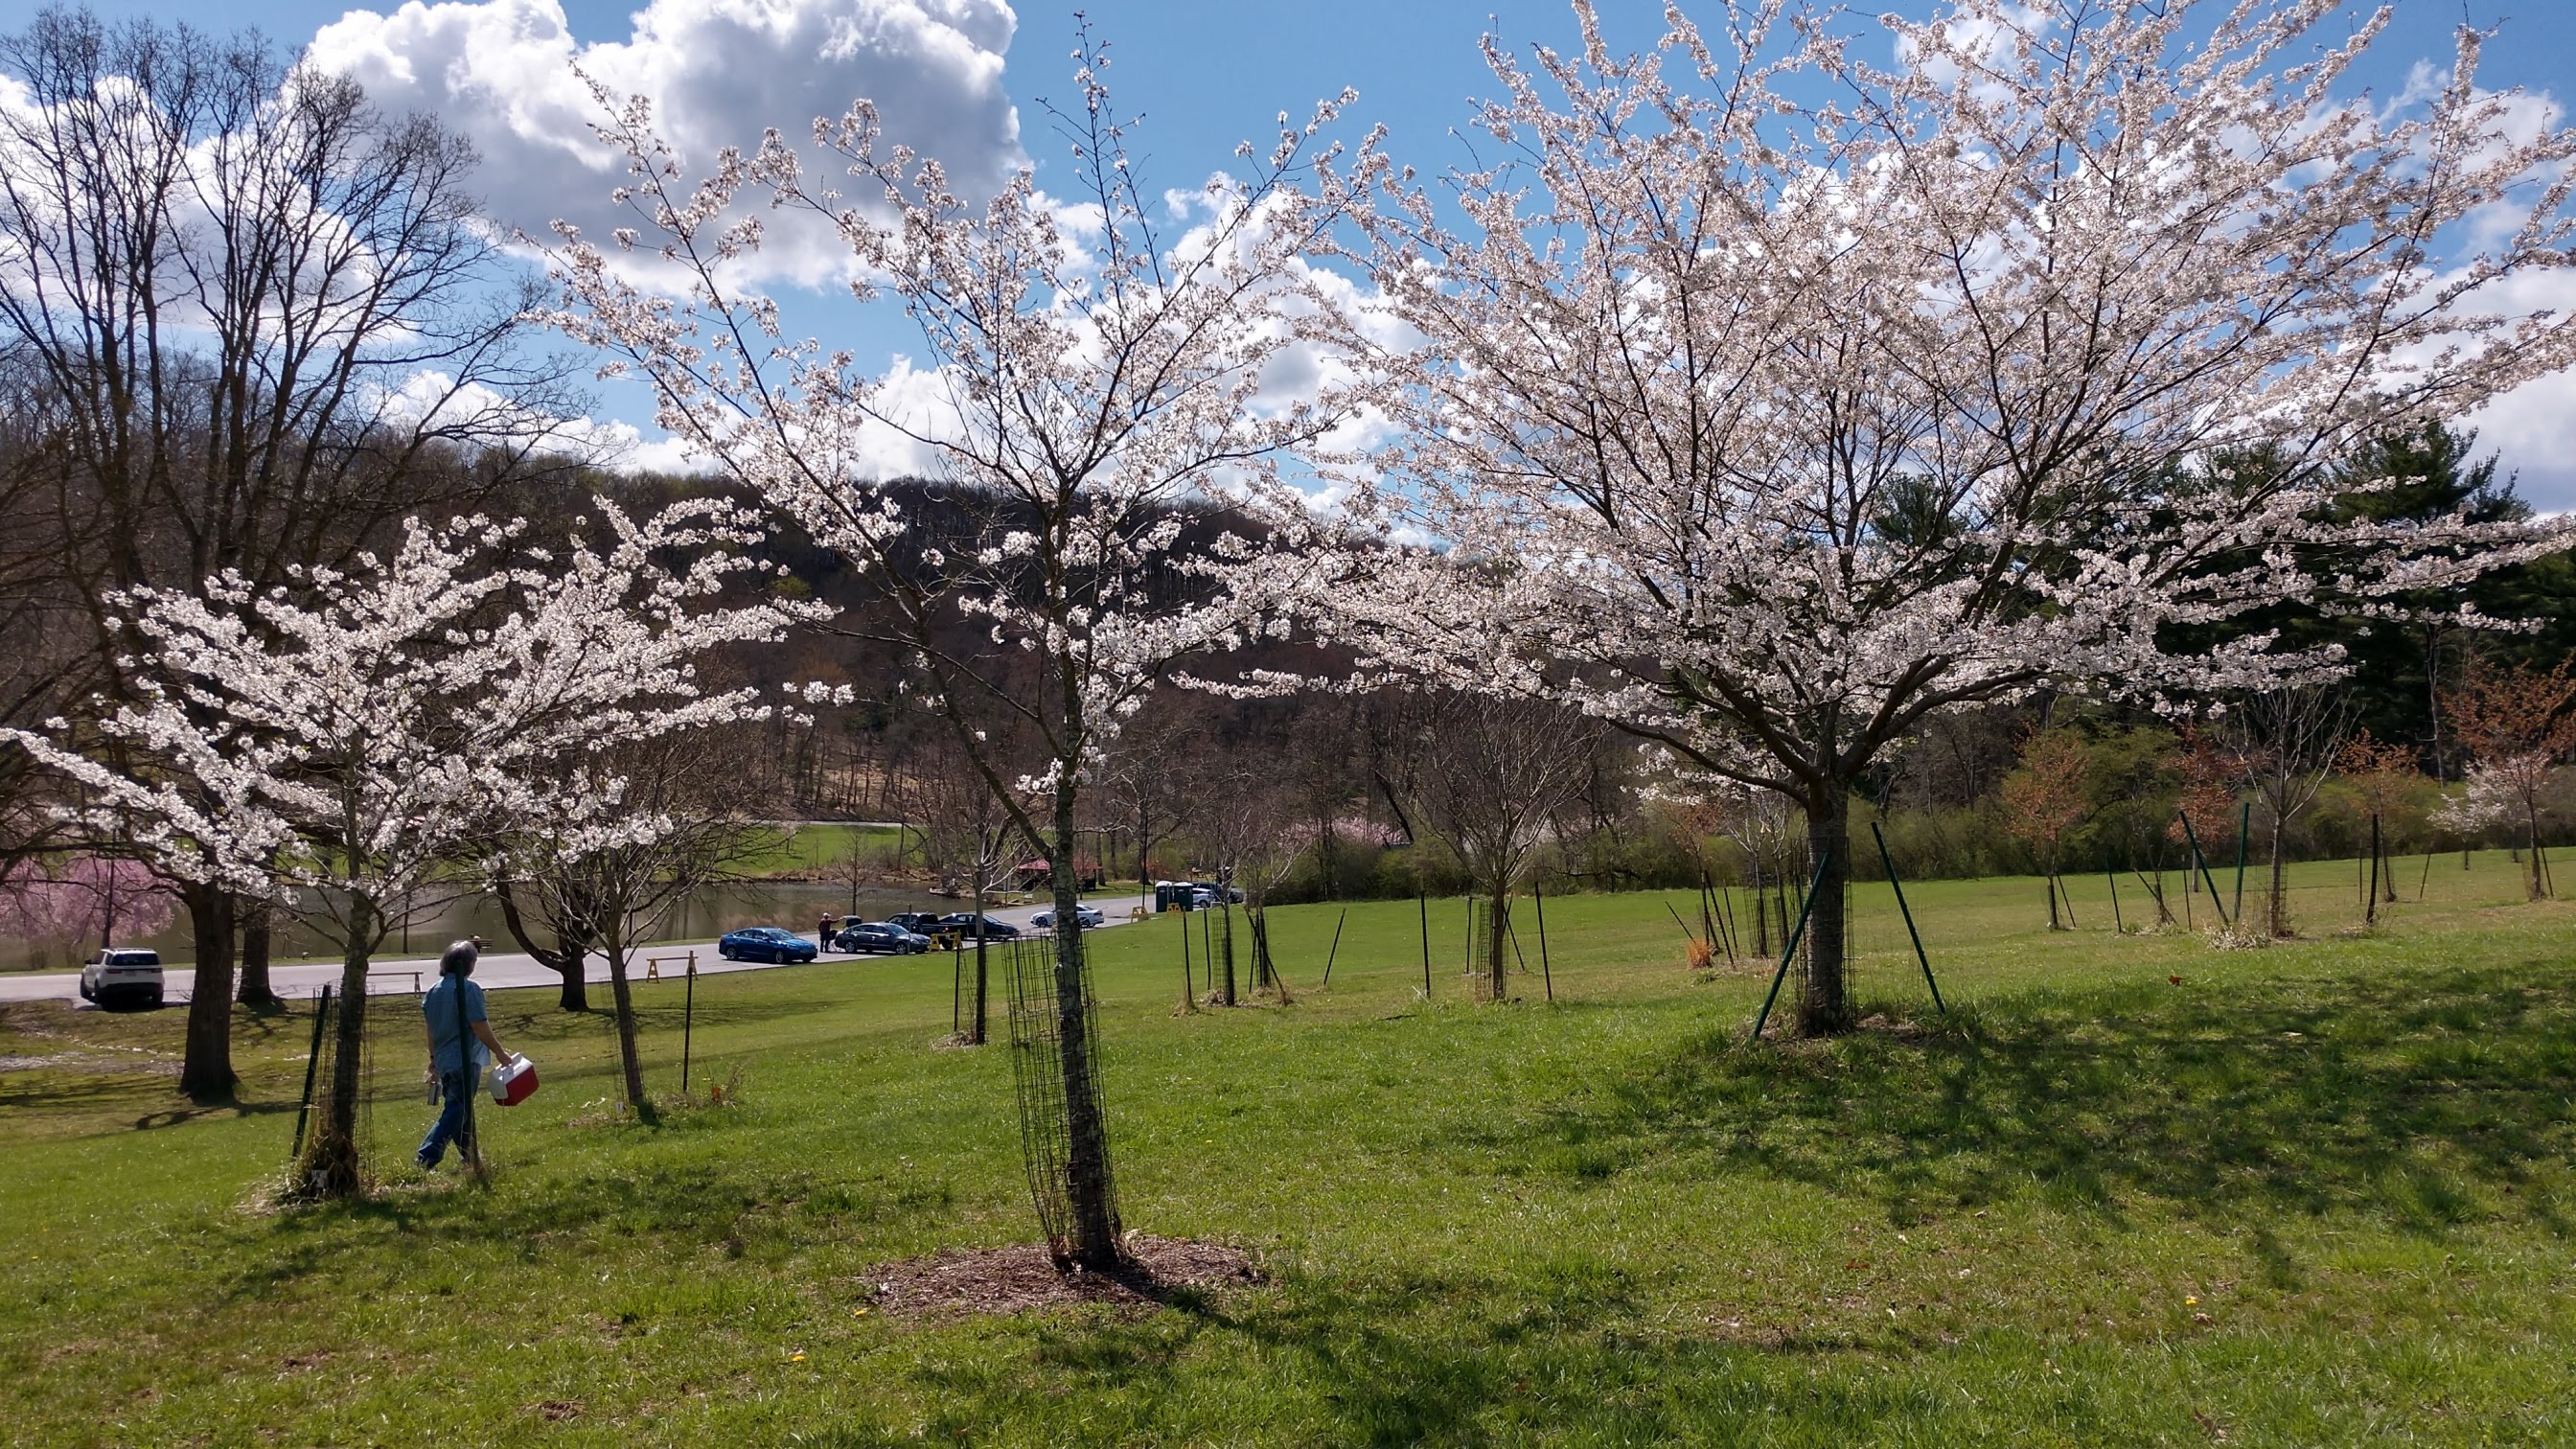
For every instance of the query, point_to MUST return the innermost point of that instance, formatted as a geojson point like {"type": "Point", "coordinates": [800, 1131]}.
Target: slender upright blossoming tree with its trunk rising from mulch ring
{"type": "Point", "coordinates": [1091, 378]}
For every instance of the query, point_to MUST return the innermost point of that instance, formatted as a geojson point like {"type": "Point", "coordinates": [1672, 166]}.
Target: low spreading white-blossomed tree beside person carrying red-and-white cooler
{"type": "Point", "coordinates": [375, 728]}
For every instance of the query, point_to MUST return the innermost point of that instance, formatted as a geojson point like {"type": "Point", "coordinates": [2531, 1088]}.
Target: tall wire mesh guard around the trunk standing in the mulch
{"type": "Point", "coordinates": [1055, 1061]}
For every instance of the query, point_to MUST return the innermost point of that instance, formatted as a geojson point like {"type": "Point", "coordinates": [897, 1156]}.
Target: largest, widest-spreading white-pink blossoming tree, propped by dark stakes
{"type": "Point", "coordinates": [1771, 401]}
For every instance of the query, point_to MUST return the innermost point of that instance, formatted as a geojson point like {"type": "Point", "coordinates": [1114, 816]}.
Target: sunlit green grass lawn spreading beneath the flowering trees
{"type": "Point", "coordinates": [2304, 1195]}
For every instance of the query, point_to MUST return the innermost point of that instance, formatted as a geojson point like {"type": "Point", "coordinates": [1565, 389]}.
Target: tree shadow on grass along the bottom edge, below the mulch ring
{"type": "Point", "coordinates": [1413, 1357]}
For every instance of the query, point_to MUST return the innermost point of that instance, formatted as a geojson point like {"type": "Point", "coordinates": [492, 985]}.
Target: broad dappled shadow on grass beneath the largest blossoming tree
{"type": "Point", "coordinates": [2423, 1097]}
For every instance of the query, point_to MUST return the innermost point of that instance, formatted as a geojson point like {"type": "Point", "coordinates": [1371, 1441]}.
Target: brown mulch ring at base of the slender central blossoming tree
{"type": "Point", "coordinates": [967, 1283]}
